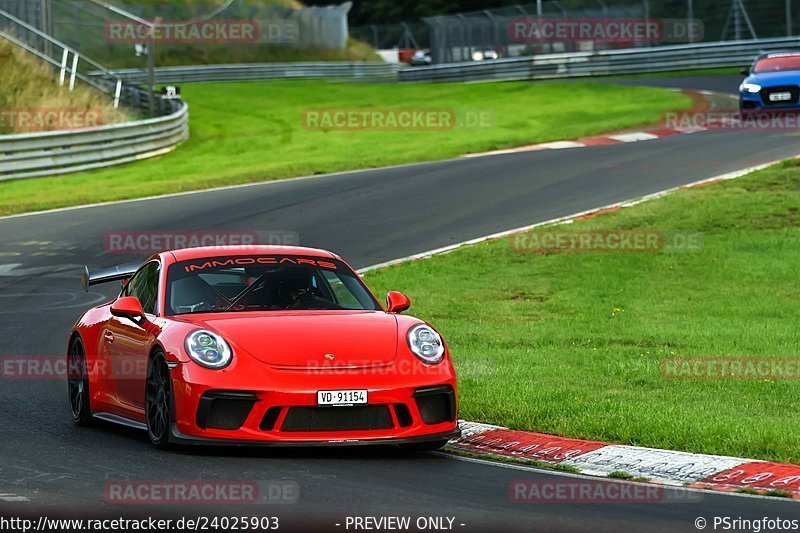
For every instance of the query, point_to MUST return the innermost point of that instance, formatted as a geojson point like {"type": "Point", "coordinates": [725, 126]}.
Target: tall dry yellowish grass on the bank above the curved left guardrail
{"type": "Point", "coordinates": [28, 85]}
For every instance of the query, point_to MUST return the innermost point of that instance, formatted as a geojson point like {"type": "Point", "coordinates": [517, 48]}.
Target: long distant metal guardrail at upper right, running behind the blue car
{"type": "Point", "coordinates": [604, 63]}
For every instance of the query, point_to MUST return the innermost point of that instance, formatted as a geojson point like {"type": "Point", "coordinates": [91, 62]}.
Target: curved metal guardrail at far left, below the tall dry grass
{"type": "Point", "coordinates": [34, 155]}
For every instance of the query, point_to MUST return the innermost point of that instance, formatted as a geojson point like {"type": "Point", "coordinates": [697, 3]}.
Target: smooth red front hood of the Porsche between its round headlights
{"type": "Point", "coordinates": [317, 339]}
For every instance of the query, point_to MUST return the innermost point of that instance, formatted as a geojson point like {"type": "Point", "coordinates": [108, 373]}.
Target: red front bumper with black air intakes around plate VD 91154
{"type": "Point", "coordinates": [273, 407]}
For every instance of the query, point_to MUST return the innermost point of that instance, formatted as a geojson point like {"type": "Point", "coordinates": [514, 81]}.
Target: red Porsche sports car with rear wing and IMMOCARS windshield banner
{"type": "Point", "coordinates": [259, 345]}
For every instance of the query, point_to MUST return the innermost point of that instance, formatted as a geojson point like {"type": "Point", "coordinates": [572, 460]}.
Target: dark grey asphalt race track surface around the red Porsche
{"type": "Point", "coordinates": [368, 217]}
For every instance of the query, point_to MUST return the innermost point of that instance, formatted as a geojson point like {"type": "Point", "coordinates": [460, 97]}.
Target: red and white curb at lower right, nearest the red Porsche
{"type": "Point", "coordinates": [657, 466]}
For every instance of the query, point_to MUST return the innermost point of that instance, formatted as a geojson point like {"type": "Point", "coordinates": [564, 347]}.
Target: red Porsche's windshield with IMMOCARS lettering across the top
{"type": "Point", "coordinates": [261, 283]}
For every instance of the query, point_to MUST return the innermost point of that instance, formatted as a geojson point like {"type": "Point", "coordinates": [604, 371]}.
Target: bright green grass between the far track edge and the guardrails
{"type": "Point", "coordinates": [251, 132]}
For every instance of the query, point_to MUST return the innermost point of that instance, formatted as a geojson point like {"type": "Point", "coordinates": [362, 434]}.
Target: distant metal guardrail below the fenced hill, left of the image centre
{"type": "Point", "coordinates": [260, 71]}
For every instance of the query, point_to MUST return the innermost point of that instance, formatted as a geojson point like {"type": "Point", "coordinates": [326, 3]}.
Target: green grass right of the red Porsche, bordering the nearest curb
{"type": "Point", "coordinates": [570, 344]}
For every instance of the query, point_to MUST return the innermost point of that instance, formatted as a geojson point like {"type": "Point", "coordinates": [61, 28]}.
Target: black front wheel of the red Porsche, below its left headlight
{"type": "Point", "coordinates": [158, 405]}
